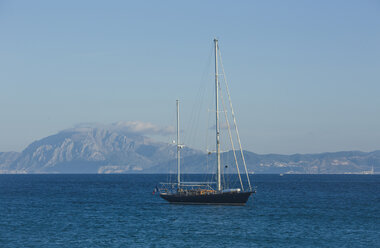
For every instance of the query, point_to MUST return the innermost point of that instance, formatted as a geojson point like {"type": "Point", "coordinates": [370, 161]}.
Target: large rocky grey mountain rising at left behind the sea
{"type": "Point", "coordinates": [92, 150]}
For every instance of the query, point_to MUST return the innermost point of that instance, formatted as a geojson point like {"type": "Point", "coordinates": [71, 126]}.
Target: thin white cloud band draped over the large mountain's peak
{"type": "Point", "coordinates": [134, 127]}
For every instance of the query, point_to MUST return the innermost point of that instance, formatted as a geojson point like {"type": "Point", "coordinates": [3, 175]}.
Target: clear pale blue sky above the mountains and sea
{"type": "Point", "coordinates": [304, 75]}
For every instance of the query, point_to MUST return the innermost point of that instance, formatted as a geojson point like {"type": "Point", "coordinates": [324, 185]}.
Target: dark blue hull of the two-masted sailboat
{"type": "Point", "coordinates": [231, 198]}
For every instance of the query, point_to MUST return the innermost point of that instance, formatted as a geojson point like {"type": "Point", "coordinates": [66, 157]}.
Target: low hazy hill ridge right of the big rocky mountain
{"type": "Point", "coordinates": [342, 162]}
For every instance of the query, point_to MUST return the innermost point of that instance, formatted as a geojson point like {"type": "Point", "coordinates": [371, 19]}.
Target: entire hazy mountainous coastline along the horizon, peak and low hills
{"type": "Point", "coordinates": [105, 150]}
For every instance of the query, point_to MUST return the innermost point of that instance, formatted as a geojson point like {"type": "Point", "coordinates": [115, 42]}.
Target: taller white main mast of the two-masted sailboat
{"type": "Point", "coordinates": [217, 115]}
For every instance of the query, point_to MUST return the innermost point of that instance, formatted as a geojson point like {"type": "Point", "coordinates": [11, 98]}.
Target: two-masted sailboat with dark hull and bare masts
{"type": "Point", "coordinates": [207, 192]}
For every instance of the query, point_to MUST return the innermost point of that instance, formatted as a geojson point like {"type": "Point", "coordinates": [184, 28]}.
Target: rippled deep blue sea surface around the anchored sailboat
{"type": "Point", "coordinates": [121, 211]}
